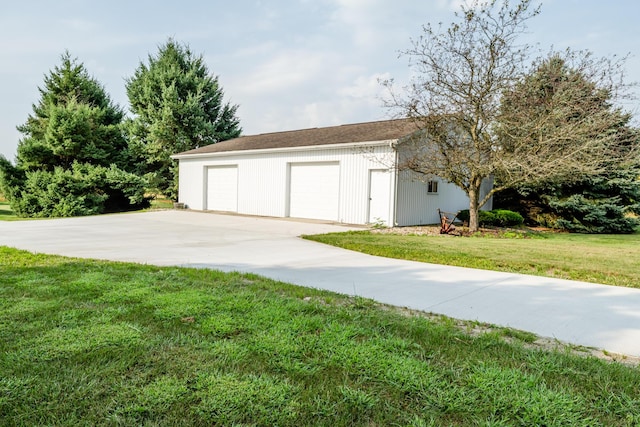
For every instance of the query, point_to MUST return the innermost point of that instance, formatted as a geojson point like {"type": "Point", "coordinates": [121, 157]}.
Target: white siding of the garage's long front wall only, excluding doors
{"type": "Point", "coordinates": [263, 181]}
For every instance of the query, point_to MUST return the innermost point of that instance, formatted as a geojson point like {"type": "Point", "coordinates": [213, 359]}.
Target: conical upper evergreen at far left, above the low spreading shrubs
{"type": "Point", "coordinates": [74, 120]}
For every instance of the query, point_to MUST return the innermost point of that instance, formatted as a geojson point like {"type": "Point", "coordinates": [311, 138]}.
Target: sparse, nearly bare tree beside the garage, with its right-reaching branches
{"type": "Point", "coordinates": [461, 75]}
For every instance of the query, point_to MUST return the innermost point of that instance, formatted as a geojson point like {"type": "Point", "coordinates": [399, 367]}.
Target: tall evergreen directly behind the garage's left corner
{"type": "Point", "coordinates": [178, 105]}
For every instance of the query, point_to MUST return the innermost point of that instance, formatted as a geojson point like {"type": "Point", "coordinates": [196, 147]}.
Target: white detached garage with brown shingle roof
{"type": "Point", "coordinates": [341, 174]}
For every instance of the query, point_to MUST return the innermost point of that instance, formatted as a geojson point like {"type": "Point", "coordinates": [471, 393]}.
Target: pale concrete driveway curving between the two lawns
{"type": "Point", "coordinates": [599, 316]}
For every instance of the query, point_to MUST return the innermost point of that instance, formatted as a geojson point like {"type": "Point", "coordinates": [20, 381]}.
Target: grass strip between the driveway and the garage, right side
{"type": "Point", "coordinates": [607, 259]}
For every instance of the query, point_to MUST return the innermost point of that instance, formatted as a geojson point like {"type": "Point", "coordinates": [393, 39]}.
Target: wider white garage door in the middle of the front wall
{"type": "Point", "coordinates": [314, 190]}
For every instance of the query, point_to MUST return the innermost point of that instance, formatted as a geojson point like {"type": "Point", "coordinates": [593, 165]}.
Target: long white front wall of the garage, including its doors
{"type": "Point", "coordinates": [329, 183]}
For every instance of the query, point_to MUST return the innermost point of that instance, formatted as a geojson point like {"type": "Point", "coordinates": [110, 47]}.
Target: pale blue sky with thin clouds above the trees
{"type": "Point", "coordinates": [288, 64]}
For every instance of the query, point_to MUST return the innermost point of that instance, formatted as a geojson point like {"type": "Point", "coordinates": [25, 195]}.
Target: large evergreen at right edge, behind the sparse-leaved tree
{"type": "Point", "coordinates": [557, 99]}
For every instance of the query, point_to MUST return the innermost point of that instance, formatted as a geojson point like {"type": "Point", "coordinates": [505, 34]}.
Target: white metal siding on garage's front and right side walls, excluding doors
{"type": "Point", "coordinates": [263, 184]}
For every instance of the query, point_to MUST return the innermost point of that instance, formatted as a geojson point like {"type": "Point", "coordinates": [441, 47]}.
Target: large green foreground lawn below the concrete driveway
{"type": "Point", "coordinates": [89, 343]}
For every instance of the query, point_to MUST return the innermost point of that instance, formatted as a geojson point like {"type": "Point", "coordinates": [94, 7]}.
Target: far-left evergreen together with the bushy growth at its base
{"type": "Point", "coordinates": [73, 158]}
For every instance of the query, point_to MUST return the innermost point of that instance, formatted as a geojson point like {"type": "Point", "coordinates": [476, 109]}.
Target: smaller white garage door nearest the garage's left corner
{"type": "Point", "coordinates": [222, 188]}
